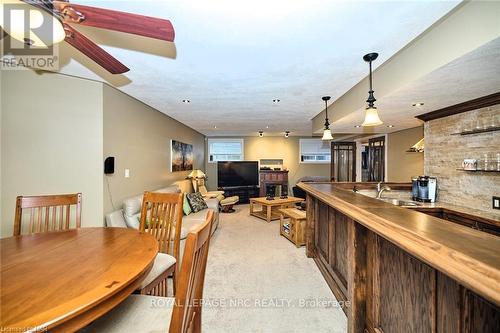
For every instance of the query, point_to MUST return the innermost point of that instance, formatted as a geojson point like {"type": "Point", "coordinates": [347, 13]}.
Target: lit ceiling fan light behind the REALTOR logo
{"type": "Point", "coordinates": [41, 30]}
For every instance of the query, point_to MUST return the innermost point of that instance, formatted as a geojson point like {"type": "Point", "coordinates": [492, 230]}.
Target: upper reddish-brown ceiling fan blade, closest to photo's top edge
{"type": "Point", "coordinates": [114, 20]}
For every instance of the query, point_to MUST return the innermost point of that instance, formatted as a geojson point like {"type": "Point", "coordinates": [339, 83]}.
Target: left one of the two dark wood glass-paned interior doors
{"type": "Point", "coordinates": [343, 165]}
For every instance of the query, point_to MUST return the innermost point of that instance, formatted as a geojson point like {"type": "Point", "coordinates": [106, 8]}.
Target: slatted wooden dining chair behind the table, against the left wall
{"type": "Point", "coordinates": [47, 213]}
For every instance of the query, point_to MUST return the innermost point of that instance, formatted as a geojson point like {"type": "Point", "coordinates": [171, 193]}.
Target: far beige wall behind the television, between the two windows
{"type": "Point", "coordinates": [256, 148]}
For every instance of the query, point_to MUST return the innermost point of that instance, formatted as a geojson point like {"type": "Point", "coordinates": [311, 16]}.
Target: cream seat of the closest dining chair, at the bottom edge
{"type": "Point", "coordinates": [138, 313]}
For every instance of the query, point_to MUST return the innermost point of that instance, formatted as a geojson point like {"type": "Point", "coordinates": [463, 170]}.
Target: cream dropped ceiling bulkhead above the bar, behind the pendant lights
{"type": "Point", "coordinates": [473, 75]}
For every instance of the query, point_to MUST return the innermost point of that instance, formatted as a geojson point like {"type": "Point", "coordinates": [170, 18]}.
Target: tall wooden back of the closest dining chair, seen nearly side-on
{"type": "Point", "coordinates": [186, 315]}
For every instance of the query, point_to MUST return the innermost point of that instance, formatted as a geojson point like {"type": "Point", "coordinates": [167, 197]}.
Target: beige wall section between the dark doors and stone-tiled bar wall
{"type": "Point", "coordinates": [401, 165]}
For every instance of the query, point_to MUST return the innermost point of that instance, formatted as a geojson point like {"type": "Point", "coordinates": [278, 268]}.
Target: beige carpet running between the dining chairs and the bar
{"type": "Point", "coordinates": [258, 281]}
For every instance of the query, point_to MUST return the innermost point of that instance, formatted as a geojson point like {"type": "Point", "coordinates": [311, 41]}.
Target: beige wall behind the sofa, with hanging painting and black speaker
{"type": "Point", "coordinates": [138, 136]}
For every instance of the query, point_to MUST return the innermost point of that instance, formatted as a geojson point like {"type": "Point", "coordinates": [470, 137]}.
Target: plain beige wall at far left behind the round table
{"type": "Point", "coordinates": [50, 143]}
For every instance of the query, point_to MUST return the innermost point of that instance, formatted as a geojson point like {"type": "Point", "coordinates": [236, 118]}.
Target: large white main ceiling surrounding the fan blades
{"type": "Point", "coordinates": [231, 58]}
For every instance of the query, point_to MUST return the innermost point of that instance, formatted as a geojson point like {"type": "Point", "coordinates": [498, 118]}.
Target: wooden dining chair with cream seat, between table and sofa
{"type": "Point", "coordinates": [161, 216]}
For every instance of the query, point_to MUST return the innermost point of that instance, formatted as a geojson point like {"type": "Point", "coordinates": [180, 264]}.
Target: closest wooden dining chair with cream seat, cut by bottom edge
{"type": "Point", "coordinates": [144, 313]}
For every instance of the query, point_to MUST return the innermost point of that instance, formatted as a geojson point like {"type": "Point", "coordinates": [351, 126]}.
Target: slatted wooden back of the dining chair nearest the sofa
{"type": "Point", "coordinates": [161, 216]}
